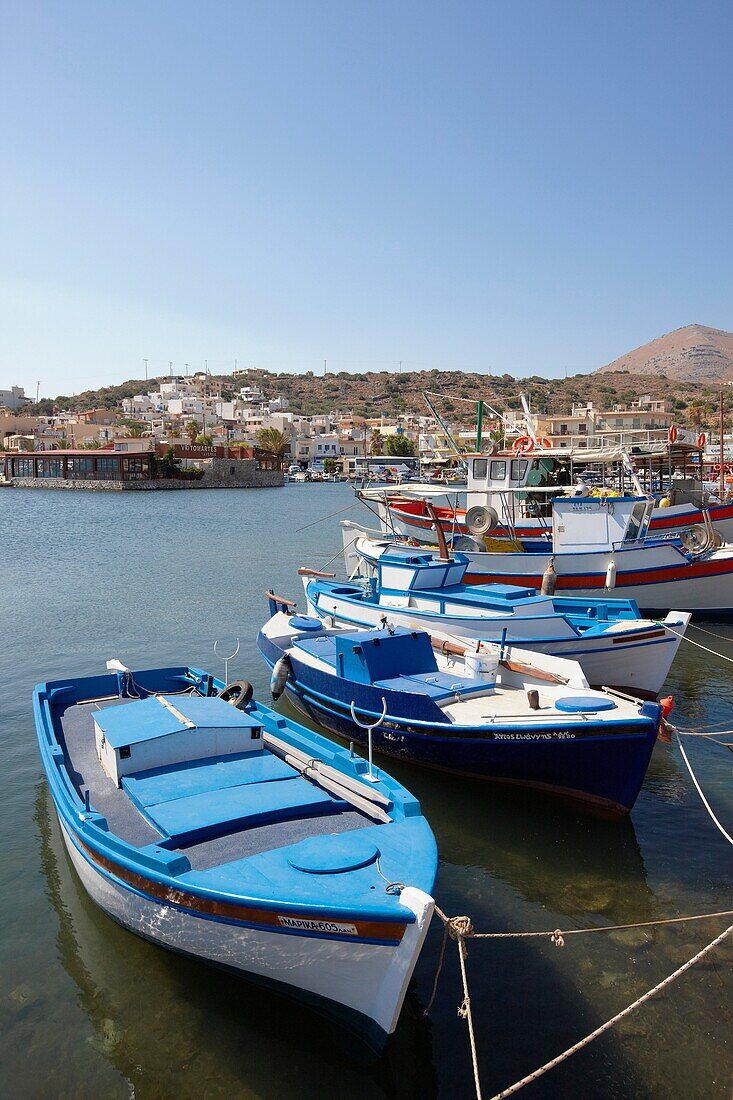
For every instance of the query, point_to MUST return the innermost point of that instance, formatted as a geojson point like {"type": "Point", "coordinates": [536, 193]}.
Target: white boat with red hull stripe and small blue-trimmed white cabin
{"type": "Point", "coordinates": [600, 547]}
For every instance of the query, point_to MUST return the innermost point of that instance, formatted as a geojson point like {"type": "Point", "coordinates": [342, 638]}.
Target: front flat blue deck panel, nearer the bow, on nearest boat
{"type": "Point", "coordinates": [214, 813]}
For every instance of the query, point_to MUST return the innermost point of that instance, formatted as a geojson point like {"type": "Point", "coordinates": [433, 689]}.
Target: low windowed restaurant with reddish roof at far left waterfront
{"type": "Point", "coordinates": [78, 466]}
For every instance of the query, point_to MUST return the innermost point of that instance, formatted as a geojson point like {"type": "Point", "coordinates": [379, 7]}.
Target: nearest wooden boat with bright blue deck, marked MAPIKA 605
{"type": "Point", "coordinates": [242, 839]}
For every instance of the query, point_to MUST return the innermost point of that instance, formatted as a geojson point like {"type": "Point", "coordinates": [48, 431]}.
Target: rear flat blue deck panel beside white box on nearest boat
{"type": "Point", "coordinates": [215, 774]}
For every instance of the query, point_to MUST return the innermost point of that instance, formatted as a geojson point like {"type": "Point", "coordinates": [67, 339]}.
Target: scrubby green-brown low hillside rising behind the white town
{"type": "Point", "coordinates": [391, 393]}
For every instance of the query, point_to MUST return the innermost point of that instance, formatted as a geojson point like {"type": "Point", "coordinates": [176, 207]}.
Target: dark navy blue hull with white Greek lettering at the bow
{"type": "Point", "coordinates": [601, 767]}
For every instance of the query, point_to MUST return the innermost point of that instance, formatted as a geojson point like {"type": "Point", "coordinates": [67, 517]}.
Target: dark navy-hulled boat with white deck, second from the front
{"type": "Point", "coordinates": [512, 717]}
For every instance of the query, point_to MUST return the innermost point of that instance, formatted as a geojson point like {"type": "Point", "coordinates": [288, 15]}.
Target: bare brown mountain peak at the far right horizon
{"type": "Point", "coordinates": [695, 354]}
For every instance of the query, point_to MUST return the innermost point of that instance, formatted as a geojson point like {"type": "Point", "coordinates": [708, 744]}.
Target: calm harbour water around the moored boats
{"type": "Point", "coordinates": [89, 1010]}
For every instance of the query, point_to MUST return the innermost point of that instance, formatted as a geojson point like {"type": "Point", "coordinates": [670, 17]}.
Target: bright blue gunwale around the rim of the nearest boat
{"type": "Point", "coordinates": [161, 867]}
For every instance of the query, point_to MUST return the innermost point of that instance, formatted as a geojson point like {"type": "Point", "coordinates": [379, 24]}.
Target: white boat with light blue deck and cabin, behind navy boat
{"type": "Point", "coordinates": [411, 587]}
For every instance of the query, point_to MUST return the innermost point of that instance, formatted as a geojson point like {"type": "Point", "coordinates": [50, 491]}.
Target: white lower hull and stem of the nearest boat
{"type": "Point", "coordinates": [368, 980]}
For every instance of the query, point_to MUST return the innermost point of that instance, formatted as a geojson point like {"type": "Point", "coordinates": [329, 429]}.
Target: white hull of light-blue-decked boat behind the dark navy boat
{"type": "Point", "coordinates": [638, 665]}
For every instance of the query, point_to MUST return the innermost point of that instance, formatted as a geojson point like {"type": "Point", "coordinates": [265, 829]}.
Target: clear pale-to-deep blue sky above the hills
{"type": "Point", "coordinates": [523, 188]}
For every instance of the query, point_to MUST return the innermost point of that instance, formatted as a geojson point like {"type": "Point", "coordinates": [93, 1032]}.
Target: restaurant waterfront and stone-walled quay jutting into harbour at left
{"type": "Point", "coordinates": [124, 468]}
